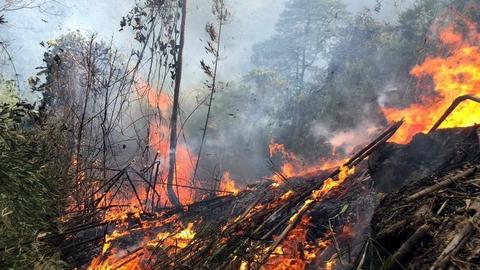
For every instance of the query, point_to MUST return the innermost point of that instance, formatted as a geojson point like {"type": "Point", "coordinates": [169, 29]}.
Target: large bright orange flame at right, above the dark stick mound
{"type": "Point", "coordinates": [455, 75]}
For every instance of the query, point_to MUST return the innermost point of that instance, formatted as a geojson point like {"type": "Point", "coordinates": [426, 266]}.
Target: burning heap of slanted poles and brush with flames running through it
{"type": "Point", "coordinates": [313, 222]}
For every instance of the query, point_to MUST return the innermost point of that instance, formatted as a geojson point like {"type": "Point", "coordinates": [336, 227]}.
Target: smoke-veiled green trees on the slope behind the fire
{"type": "Point", "coordinates": [334, 69]}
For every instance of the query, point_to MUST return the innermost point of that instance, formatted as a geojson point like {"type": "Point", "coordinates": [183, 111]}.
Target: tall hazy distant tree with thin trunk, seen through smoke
{"type": "Point", "coordinates": [305, 32]}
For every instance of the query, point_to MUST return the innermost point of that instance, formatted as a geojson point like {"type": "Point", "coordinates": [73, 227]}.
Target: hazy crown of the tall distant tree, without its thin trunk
{"type": "Point", "coordinates": [304, 33]}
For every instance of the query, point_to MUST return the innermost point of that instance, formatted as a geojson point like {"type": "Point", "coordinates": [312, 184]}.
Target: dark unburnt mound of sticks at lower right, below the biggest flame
{"type": "Point", "coordinates": [432, 223]}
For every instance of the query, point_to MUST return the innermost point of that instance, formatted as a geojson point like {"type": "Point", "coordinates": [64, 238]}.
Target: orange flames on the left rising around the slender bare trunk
{"type": "Point", "coordinates": [172, 240]}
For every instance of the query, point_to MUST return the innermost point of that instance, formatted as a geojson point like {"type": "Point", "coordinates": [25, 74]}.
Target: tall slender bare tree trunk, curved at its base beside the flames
{"type": "Point", "coordinates": [173, 198]}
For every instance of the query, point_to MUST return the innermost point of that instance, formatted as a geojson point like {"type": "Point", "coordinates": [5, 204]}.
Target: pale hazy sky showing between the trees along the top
{"type": "Point", "coordinates": [252, 21]}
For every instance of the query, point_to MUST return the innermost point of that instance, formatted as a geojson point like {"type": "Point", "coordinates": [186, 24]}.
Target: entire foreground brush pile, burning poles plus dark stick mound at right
{"type": "Point", "coordinates": [328, 220]}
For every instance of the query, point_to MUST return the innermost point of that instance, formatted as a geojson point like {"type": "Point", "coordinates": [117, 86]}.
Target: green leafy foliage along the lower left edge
{"type": "Point", "coordinates": [29, 192]}
